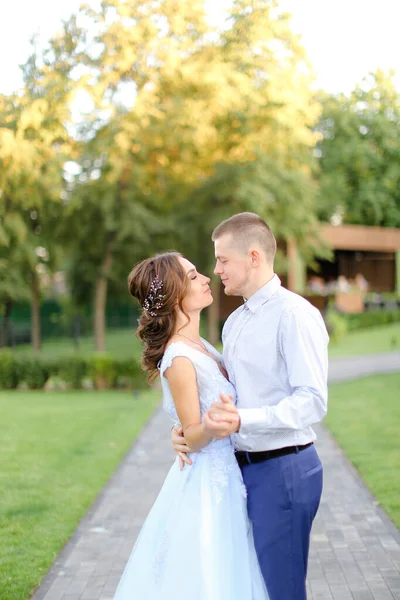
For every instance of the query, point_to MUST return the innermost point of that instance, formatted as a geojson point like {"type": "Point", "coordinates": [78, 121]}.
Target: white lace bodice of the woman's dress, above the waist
{"type": "Point", "coordinates": [210, 380]}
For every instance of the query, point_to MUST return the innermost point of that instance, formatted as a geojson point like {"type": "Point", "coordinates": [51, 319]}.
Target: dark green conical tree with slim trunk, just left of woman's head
{"type": "Point", "coordinates": [112, 224]}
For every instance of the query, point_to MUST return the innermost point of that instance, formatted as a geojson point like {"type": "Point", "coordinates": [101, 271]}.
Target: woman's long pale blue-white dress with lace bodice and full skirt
{"type": "Point", "coordinates": [197, 541]}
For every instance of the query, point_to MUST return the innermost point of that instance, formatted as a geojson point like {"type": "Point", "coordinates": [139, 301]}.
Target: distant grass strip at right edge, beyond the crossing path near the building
{"type": "Point", "coordinates": [367, 341]}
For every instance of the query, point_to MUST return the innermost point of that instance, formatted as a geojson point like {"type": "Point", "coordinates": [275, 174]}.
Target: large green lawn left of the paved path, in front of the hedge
{"type": "Point", "coordinates": [57, 452]}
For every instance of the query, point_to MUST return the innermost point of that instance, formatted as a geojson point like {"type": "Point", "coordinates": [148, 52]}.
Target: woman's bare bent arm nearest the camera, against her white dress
{"type": "Point", "coordinates": [182, 382]}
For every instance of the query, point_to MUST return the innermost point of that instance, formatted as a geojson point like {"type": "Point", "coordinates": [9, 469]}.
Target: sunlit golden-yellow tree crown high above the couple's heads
{"type": "Point", "coordinates": [203, 96]}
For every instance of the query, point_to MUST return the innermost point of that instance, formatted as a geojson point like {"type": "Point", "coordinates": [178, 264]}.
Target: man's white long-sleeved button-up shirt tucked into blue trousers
{"type": "Point", "coordinates": [276, 355]}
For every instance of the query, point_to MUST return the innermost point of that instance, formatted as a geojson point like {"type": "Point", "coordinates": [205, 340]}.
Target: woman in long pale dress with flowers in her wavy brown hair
{"type": "Point", "coordinates": [197, 540]}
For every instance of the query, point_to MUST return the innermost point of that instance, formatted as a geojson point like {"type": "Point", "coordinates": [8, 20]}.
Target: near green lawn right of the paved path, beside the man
{"type": "Point", "coordinates": [364, 417]}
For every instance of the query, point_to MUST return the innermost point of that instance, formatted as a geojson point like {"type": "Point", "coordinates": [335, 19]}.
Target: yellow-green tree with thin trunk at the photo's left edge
{"type": "Point", "coordinates": [33, 138]}
